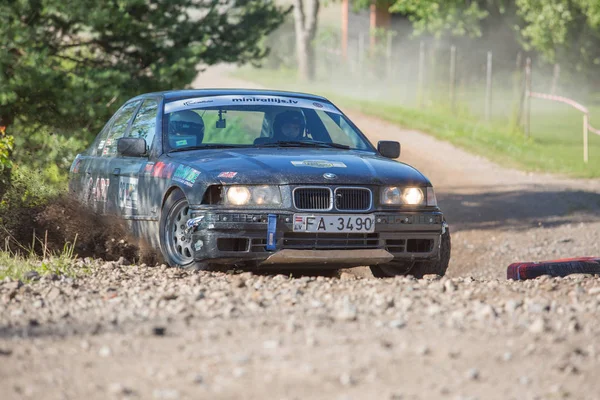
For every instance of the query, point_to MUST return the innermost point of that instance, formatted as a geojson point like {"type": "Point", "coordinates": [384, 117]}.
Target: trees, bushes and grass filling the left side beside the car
{"type": "Point", "coordinates": [65, 68]}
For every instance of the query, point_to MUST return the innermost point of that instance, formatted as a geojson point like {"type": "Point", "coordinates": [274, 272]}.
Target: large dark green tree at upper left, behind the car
{"type": "Point", "coordinates": [68, 64]}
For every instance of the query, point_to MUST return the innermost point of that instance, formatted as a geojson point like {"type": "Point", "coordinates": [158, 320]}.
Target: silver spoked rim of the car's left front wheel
{"type": "Point", "coordinates": [178, 240]}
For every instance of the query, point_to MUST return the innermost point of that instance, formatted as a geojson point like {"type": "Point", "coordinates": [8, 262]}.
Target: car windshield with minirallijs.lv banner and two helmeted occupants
{"type": "Point", "coordinates": [258, 121]}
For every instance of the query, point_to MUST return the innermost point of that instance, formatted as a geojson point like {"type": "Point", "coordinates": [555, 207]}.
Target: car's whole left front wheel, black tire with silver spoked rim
{"type": "Point", "coordinates": [175, 244]}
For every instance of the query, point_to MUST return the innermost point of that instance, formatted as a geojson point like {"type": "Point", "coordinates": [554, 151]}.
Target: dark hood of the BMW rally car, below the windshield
{"type": "Point", "coordinates": [297, 166]}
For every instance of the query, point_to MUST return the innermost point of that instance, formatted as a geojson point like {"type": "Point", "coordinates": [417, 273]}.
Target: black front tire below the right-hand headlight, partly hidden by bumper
{"type": "Point", "coordinates": [418, 268]}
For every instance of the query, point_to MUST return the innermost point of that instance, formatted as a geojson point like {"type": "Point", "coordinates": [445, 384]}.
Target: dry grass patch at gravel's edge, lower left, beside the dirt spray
{"type": "Point", "coordinates": [16, 265]}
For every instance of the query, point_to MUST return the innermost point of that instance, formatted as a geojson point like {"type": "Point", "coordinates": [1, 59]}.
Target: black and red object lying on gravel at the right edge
{"type": "Point", "coordinates": [563, 267]}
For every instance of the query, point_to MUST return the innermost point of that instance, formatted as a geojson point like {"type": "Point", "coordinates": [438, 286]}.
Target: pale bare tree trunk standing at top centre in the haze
{"type": "Point", "coordinates": [305, 22]}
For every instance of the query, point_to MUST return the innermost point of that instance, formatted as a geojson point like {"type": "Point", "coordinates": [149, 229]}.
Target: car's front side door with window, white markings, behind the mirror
{"type": "Point", "coordinates": [131, 174]}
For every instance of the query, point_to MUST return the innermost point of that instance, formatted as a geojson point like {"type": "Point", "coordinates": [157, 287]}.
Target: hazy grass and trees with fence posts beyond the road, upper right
{"type": "Point", "coordinates": [457, 71]}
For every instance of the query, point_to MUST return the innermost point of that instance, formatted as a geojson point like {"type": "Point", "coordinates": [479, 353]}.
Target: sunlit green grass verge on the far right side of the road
{"type": "Point", "coordinates": [555, 144]}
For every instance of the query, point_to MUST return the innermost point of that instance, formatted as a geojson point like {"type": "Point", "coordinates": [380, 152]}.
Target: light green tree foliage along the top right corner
{"type": "Point", "coordinates": [562, 31]}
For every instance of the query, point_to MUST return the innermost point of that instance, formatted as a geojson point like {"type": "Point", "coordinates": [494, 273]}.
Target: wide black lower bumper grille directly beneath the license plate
{"type": "Point", "coordinates": [337, 241]}
